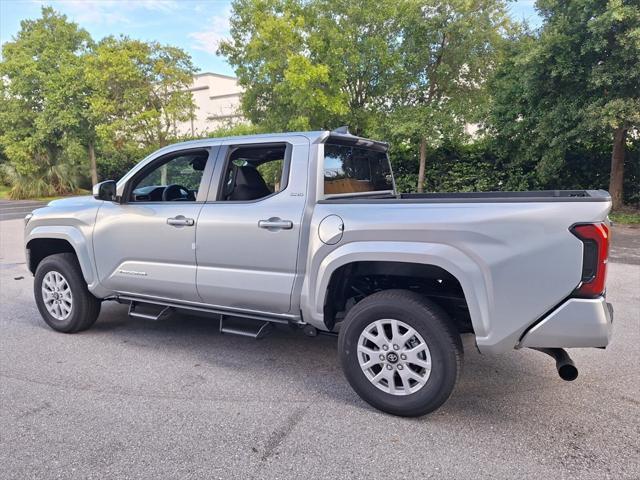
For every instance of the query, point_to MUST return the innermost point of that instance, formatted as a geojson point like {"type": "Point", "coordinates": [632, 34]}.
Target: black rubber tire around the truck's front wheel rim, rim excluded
{"type": "Point", "coordinates": [85, 308]}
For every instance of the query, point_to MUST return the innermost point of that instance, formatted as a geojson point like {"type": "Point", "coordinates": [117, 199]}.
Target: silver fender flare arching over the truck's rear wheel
{"type": "Point", "coordinates": [474, 279]}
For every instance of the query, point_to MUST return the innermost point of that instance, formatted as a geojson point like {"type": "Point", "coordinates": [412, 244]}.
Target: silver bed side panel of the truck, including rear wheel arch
{"type": "Point", "coordinates": [515, 261]}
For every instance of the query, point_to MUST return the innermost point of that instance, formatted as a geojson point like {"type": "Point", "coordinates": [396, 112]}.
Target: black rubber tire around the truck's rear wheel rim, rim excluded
{"type": "Point", "coordinates": [431, 322]}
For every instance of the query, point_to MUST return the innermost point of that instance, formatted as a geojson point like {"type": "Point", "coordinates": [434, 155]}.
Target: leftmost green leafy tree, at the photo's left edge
{"type": "Point", "coordinates": [42, 103]}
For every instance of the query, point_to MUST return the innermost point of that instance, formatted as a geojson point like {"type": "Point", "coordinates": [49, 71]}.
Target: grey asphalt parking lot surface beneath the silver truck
{"type": "Point", "coordinates": [133, 398]}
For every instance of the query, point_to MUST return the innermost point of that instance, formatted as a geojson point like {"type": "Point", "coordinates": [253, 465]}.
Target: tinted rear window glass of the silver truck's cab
{"type": "Point", "coordinates": [350, 169]}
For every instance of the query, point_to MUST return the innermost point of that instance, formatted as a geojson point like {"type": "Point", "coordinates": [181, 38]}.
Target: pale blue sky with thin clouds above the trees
{"type": "Point", "coordinates": [194, 25]}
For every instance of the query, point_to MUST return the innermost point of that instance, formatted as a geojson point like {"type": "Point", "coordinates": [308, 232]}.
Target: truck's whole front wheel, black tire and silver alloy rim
{"type": "Point", "coordinates": [64, 301]}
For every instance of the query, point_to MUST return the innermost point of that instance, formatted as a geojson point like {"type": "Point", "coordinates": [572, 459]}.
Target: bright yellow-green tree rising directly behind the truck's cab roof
{"type": "Point", "coordinates": [310, 65]}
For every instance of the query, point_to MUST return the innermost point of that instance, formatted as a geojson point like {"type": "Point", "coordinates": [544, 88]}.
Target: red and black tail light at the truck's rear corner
{"type": "Point", "coordinates": [595, 238]}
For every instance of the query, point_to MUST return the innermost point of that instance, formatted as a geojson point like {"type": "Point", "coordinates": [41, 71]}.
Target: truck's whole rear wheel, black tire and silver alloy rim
{"type": "Point", "coordinates": [400, 353]}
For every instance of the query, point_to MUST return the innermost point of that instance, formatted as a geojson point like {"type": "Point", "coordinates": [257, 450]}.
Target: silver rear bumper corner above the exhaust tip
{"type": "Point", "coordinates": [579, 322]}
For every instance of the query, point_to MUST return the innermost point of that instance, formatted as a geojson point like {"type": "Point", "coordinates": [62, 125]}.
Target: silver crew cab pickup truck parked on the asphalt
{"type": "Point", "coordinates": [307, 229]}
